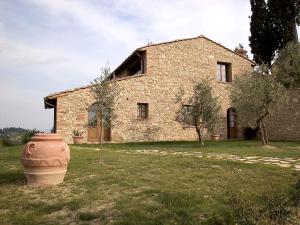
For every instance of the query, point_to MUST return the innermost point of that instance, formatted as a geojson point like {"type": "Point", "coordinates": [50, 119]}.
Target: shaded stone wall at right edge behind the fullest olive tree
{"type": "Point", "coordinates": [285, 123]}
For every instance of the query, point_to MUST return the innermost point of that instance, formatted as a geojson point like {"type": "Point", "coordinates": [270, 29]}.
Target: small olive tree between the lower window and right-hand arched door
{"type": "Point", "coordinates": [200, 110]}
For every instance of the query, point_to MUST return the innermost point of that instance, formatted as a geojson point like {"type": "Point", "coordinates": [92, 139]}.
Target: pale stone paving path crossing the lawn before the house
{"type": "Point", "coordinates": [281, 162]}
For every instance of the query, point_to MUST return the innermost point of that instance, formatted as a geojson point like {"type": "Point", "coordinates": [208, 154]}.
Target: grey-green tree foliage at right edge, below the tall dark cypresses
{"type": "Point", "coordinates": [287, 65]}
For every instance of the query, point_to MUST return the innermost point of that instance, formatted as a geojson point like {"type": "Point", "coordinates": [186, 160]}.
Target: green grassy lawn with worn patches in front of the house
{"type": "Point", "coordinates": [134, 187]}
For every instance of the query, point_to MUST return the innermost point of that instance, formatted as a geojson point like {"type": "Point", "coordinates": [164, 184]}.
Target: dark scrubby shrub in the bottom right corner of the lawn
{"type": "Point", "coordinates": [273, 207]}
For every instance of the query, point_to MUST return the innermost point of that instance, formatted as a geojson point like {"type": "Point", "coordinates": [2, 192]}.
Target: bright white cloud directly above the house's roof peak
{"type": "Point", "coordinates": [224, 21]}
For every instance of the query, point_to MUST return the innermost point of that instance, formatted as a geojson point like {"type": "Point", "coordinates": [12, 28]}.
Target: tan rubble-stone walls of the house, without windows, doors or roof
{"type": "Point", "coordinates": [169, 67]}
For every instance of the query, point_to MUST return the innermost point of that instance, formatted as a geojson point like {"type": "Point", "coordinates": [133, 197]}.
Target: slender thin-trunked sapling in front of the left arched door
{"type": "Point", "coordinates": [104, 89]}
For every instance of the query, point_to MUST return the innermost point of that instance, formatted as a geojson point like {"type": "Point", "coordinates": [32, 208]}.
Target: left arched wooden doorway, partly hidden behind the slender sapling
{"type": "Point", "coordinates": [94, 127]}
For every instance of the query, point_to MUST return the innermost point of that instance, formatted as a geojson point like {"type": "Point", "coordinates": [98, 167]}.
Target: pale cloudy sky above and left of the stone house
{"type": "Point", "coordinates": [52, 45]}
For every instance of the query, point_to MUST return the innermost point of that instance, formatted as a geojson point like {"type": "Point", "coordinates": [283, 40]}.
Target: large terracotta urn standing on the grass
{"type": "Point", "coordinates": [45, 159]}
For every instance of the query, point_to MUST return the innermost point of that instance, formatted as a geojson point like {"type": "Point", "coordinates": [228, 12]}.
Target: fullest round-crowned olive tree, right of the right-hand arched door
{"type": "Point", "coordinates": [256, 96]}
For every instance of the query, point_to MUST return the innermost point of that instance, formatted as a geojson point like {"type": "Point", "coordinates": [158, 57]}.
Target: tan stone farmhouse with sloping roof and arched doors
{"type": "Point", "coordinates": [149, 79]}
